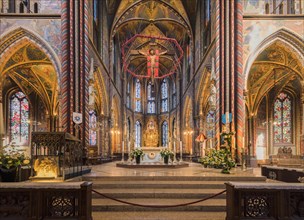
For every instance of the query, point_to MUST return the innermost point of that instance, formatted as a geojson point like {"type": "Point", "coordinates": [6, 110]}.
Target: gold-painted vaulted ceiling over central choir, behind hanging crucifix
{"type": "Point", "coordinates": [156, 18]}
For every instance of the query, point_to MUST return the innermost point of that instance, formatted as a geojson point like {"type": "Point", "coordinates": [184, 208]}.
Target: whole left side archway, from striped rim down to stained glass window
{"type": "Point", "coordinates": [29, 68]}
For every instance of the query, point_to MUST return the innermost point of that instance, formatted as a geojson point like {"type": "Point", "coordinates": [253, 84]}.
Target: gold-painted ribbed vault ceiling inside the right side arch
{"type": "Point", "coordinates": [277, 67]}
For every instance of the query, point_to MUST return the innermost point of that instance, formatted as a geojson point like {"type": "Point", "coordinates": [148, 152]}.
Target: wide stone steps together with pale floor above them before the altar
{"type": "Point", "coordinates": [165, 185]}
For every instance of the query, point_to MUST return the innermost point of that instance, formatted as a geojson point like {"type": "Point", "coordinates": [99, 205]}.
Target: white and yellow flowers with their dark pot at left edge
{"type": "Point", "coordinates": [10, 160]}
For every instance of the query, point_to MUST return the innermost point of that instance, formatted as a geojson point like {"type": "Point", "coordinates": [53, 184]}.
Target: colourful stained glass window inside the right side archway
{"type": "Point", "coordinates": [282, 126]}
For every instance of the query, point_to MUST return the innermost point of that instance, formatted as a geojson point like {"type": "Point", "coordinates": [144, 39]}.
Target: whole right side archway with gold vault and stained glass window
{"type": "Point", "coordinates": [274, 85]}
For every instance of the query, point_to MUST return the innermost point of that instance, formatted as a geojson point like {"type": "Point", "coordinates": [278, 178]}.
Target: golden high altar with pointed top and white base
{"type": "Point", "coordinates": [151, 142]}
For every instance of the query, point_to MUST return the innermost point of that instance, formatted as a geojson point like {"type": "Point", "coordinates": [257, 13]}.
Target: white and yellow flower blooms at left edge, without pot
{"type": "Point", "coordinates": [10, 157]}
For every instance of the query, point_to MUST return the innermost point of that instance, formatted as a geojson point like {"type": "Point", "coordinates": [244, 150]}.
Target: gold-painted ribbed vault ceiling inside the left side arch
{"type": "Point", "coordinates": [32, 71]}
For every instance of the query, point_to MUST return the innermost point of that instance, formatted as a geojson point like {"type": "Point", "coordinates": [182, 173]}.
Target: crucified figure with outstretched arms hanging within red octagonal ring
{"type": "Point", "coordinates": [152, 62]}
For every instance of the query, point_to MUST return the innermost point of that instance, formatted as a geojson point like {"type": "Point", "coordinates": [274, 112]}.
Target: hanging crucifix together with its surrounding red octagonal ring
{"type": "Point", "coordinates": [153, 55]}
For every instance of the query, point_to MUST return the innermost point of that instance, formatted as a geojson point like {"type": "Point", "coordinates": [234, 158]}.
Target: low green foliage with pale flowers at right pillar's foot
{"type": "Point", "coordinates": [219, 159]}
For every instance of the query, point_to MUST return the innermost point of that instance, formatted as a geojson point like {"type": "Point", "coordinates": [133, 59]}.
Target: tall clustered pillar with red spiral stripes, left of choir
{"type": "Point", "coordinates": [75, 67]}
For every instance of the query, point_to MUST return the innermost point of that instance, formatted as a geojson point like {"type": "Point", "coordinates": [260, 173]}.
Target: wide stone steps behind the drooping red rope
{"type": "Point", "coordinates": [161, 190]}
